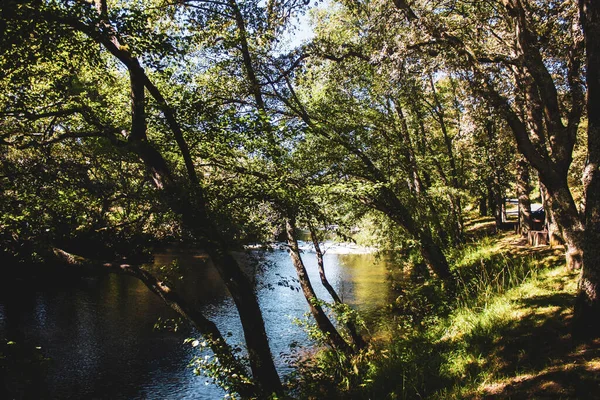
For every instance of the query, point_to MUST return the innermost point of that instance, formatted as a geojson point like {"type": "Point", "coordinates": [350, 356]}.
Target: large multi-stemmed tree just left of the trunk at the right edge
{"type": "Point", "coordinates": [545, 128]}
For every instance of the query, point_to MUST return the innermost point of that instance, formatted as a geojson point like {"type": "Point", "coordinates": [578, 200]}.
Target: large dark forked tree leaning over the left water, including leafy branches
{"type": "Point", "coordinates": [180, 192]}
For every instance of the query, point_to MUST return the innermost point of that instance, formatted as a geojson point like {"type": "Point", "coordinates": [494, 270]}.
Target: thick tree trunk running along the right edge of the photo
{"type": "Point", "coordinates": [587, 306]}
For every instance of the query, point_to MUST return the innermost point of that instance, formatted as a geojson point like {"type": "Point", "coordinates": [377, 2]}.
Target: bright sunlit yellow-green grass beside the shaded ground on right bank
{"type": "Point", "coordinates": [471, 332]}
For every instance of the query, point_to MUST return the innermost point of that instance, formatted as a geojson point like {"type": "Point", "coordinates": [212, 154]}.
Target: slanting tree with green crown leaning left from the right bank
{"type": "Point", "coordinates": [360, 128]}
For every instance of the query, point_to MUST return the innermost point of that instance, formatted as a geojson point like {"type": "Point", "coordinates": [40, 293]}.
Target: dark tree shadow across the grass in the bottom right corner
{"type": "Point", "coordinates": [539, 356]}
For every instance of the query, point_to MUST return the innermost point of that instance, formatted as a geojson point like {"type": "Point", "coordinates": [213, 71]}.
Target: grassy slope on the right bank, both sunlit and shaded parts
{"type": "Point", "coordinates": [510, 335]}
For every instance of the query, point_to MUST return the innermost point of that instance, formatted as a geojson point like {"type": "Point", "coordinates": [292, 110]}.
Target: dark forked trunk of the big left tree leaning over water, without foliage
{"type": "Point", "coordinates": [186, 197]}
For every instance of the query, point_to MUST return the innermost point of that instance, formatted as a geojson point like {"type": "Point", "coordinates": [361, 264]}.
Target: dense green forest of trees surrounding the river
{"type": "Point", "coordinates": [128, 126]}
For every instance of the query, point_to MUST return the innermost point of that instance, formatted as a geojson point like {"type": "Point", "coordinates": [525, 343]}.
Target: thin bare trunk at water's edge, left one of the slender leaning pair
{"type": "Point", "coordinates": [333, 337]}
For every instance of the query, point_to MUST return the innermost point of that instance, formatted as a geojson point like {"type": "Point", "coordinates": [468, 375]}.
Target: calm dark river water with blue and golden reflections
{"type": "Point", "coordinates": [98, 339]}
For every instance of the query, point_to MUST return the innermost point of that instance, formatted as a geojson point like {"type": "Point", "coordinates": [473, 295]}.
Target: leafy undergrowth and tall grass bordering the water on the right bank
{"type": "Point", "coordinates": [437, 343]}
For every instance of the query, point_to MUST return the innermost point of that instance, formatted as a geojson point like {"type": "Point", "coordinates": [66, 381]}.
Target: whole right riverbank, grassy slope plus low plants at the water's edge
{"type": "Point", "coordinates": [507, 335]}
